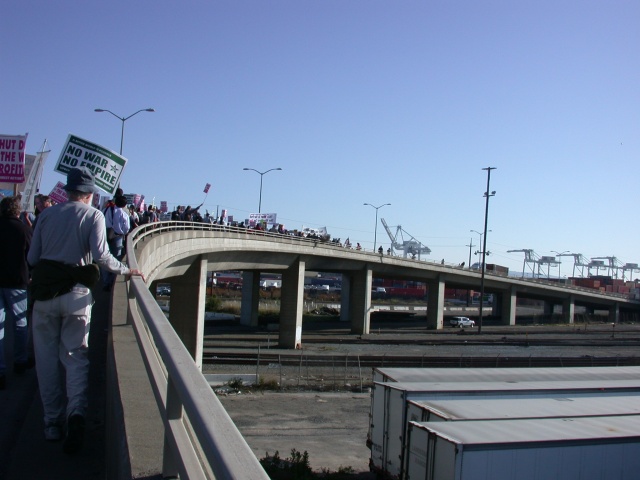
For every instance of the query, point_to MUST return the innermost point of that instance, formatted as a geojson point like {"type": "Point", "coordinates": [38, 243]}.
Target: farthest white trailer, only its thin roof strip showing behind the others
{"type": "Point", "coordinates": [503, 374]}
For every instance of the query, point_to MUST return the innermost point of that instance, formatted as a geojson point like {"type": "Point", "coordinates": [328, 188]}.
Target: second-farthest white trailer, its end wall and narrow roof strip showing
{"type": "Point", "coordinates": [389, 422]}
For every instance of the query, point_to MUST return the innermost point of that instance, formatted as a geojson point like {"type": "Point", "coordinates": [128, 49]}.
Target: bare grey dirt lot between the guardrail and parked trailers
{"type": "Point", "coordinates": [331, 427]}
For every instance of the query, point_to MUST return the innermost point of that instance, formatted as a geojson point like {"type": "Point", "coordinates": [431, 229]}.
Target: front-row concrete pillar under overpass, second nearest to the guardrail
{"type": "Point", "coordinates": [291, 304]}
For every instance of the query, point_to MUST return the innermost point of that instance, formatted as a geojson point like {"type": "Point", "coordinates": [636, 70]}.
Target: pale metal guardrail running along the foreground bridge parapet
{"type": "Point", "coordinates": [201, 440]}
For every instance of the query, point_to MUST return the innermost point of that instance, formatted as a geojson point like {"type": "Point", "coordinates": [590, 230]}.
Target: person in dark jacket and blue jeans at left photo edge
{"type": "Point", "coordinates": [15, 240]}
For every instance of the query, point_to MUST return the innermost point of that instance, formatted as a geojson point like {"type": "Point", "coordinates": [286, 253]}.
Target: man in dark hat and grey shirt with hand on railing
{"type": "Point", "coordinates": [67, 239]}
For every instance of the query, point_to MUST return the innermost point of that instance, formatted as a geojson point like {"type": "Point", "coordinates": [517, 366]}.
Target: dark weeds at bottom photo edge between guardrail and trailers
{"type": "Point", "coordinates": [297, 467]}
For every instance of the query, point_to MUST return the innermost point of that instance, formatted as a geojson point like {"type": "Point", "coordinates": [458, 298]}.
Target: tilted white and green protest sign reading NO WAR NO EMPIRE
{"type": "Point", "coordinates": [107, 166]}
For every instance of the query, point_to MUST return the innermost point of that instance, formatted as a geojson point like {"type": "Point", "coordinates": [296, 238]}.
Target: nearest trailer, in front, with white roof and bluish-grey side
{"type": "Point", "coordinates": [591, 448]}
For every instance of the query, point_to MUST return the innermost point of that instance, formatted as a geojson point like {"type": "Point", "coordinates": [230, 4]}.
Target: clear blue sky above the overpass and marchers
{"type": "Point", "coordinates": [358, 101]}
